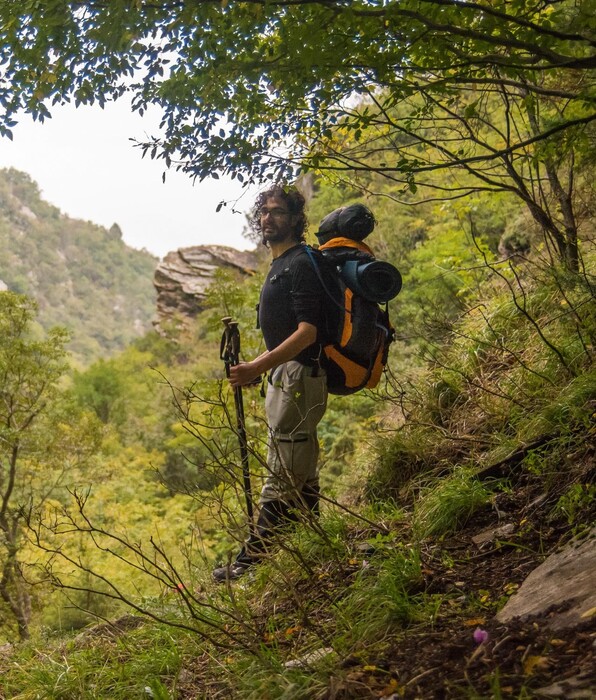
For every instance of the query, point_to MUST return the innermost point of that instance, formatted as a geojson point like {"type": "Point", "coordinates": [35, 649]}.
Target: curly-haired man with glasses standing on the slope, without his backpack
{"type": "Point", "coordinates": [291, 319]}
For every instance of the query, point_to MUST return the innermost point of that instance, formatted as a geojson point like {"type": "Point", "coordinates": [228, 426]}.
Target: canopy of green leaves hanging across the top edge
{"type": "Point", "coordinates": [235, 79]}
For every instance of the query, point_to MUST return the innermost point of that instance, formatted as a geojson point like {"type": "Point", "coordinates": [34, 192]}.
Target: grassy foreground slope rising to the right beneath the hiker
{"type": "Point", "coordinates": [501, 422]}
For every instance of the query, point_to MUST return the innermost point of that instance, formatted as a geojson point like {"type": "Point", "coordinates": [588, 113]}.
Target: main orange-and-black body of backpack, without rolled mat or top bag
{"type": "Point", "coordinates": [358, 332]}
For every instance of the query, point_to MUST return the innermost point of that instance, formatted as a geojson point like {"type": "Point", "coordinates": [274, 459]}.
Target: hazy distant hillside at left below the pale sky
{"type": "Point", "coordinates": [83, 276]}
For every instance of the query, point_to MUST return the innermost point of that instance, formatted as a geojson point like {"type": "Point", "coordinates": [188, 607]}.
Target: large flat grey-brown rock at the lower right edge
{"type": "Point", "coordinates": [561, 590]}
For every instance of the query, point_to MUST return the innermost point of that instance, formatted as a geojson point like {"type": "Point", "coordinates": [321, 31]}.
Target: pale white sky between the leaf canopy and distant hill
{"type": "Point", "coordinates": [85, 164]}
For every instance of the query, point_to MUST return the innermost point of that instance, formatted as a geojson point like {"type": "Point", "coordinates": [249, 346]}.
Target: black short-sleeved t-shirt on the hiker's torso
{"type": "Point", "coordinates": [292, 293]}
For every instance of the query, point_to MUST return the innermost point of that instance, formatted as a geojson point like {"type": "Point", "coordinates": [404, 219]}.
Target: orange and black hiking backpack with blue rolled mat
{"type": "Point", "coordinates": [358, 332]}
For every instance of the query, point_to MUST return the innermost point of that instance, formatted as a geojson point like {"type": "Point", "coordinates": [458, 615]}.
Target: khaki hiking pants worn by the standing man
{"type": "Point", "coordinates": [294, 404]}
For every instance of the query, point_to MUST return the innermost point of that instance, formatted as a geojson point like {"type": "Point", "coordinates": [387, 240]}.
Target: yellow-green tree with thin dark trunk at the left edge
{"type": "Point", "coordinates": [43, 441]}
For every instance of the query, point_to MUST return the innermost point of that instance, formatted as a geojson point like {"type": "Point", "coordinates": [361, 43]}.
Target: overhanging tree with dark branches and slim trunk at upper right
{"type": "Point", "coordinates": [499, 93]}
